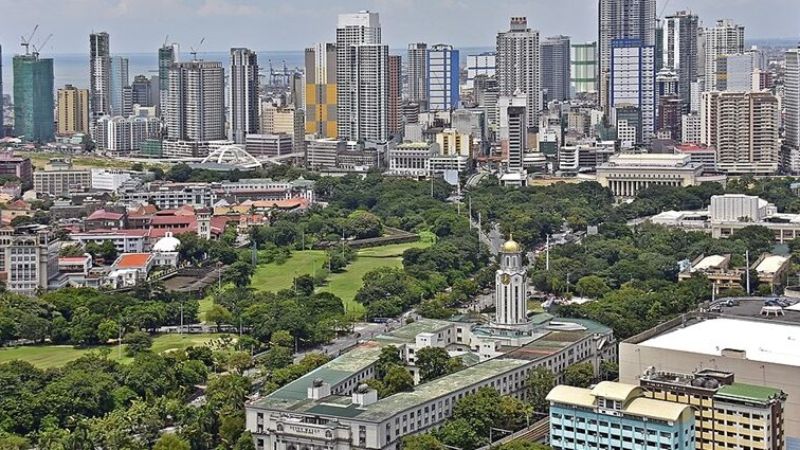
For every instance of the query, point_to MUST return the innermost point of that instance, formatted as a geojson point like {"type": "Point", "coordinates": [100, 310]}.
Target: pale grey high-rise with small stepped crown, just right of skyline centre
{"type": "Point", "coordinates": [518, 66]}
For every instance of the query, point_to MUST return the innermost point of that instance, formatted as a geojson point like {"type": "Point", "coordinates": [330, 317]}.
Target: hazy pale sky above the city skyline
{"type": "Point", "coordinates": [141, 25]}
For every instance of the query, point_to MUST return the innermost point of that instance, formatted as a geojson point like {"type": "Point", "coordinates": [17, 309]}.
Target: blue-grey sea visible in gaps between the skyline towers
{"type": "Point", "coordinates": [73, 68]}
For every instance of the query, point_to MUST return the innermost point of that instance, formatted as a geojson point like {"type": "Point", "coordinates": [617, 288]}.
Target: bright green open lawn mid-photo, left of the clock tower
{"type": "Point", "coordinates": [274, 277]}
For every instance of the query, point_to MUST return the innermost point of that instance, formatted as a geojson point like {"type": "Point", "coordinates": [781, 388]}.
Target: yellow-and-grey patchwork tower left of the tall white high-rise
{"type": "Point", "coordinates": [321, 90]}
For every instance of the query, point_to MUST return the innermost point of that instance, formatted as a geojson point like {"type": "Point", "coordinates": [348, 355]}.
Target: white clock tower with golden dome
{"type": "Point", "coordinates": [511, 281]}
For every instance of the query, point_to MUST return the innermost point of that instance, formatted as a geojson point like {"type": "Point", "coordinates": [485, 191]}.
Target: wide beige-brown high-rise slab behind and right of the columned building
{"type": "Point", "coordinates": [743, 127]}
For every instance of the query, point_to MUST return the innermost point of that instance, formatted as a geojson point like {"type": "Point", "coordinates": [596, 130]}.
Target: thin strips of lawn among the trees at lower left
{"type": "Point", "coordinates": [46, 356]}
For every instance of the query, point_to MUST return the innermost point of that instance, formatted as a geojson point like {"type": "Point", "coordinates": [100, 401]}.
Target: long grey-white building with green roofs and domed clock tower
{"type": "Point", "coordinates": [332, 407]}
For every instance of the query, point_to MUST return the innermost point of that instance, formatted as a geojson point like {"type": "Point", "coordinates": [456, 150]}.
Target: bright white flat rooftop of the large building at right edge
{"type": "Point", "coordinates": [772, 342]}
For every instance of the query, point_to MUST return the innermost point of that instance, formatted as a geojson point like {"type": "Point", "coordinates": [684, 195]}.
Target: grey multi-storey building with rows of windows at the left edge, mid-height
{"type": "Point", "coordinates": [28, 258]}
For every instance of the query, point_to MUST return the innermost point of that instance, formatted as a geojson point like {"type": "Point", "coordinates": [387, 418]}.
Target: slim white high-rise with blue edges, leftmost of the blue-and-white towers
{"type": "Point", "coordinates": [443, 72]}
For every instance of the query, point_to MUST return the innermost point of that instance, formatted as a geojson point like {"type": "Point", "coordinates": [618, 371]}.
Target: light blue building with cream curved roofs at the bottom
{"type": "Point", "coordinates": [617, 416]}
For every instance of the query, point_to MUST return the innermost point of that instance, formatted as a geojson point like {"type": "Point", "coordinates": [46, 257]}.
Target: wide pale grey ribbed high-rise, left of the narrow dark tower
{"type": "Point", "coordinates": [195, 108]}
